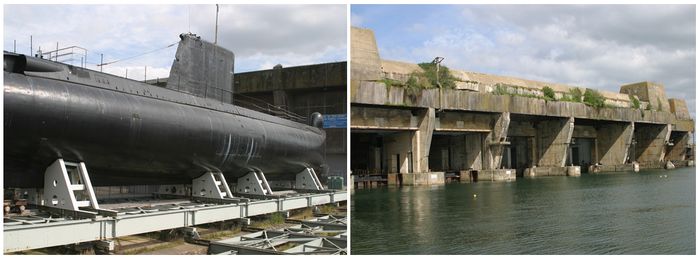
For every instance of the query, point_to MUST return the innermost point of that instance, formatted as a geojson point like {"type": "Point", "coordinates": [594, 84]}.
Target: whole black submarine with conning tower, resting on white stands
{"type": "Point", "coordinates": [132, 133]}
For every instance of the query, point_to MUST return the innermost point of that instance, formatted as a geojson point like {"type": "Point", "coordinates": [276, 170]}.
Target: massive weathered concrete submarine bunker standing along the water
{"type": "Point", "coordinates": [470, 130]}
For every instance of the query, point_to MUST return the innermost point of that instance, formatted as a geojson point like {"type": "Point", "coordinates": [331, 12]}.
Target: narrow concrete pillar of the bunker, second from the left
{"type": "Point", "coordinates": [495, 141]}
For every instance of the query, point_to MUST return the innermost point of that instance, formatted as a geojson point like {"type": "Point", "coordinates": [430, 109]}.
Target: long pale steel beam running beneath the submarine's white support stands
{"type": "Point", "coordinates": [32, 232]}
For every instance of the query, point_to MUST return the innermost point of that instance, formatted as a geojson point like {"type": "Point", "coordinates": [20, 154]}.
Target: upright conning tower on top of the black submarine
{"type": "Point", "coordinates": [202, 69]}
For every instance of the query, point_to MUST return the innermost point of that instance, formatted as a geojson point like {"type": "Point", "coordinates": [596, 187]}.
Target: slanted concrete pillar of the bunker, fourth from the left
{"type": "Point", "coordinates": [615, 143]}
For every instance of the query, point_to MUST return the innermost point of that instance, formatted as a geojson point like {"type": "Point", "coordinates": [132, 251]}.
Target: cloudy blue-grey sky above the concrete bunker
{"type": "Point", "coordinates": [592, 46]}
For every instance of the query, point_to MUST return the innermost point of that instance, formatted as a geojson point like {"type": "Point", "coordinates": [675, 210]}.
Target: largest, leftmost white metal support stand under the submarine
{"type": "Point", "coordinates": [67, 186]}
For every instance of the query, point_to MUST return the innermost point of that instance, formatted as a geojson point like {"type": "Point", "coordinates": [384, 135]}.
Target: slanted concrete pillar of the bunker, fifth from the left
{"type": "Point", "coordinates": [651, 142]}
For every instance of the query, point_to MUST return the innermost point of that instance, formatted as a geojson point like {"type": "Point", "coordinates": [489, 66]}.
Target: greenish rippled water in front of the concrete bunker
{"type": "Point", "coordinates": [615, 213]}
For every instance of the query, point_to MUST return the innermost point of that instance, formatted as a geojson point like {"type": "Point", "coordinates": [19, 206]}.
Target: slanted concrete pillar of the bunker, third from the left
{"type": "Point", "coordinates": [553, 140]}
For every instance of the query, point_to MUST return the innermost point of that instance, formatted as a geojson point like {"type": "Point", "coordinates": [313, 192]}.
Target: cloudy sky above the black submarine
{"type": "Point", "coordinates": [260, 36]}
